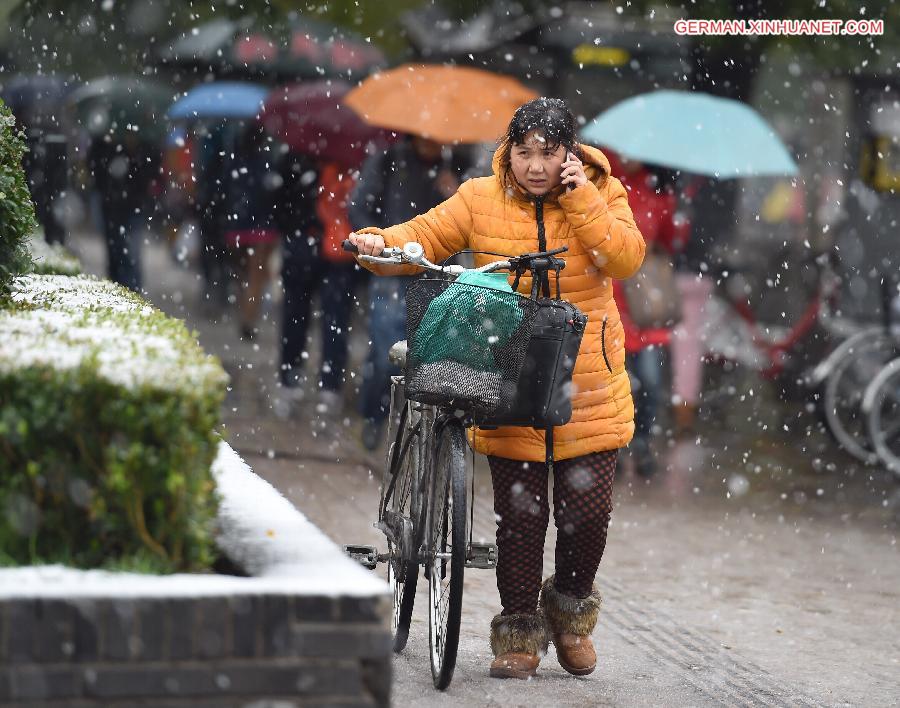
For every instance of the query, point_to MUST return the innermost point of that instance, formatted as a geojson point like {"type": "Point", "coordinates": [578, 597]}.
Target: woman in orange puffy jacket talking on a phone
{"type": "Point", "coordinates": [547, 191]}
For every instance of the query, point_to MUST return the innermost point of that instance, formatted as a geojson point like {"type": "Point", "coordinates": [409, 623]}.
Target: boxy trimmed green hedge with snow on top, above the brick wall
{"type": "Point", "coordinates": [108, 413]}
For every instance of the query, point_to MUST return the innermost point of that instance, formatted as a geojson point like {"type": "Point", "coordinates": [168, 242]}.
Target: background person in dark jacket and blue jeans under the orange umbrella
{"type": "Point", "coordinates": [410, 178]}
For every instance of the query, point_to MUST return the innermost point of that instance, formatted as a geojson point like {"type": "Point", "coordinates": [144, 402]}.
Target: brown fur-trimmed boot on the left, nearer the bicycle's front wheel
{"type": "Point", "coordinates": [518, 643]}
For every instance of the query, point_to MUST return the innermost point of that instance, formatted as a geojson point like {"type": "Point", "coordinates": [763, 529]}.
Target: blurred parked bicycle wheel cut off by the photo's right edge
{"type": "Point", "coordinates": [843, 393]}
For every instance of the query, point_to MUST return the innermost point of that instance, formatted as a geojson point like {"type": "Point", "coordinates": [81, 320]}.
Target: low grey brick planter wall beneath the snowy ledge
{"type": "Point", "coordinates": [234, 650]}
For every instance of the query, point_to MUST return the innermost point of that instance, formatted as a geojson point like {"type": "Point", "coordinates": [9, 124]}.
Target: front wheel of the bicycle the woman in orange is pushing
{"type": "Point", "coordinates": [446, 522]}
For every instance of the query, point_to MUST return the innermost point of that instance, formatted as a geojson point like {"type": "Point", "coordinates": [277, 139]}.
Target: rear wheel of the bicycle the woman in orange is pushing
{"type": "Point", "coordinates": [397, 511]}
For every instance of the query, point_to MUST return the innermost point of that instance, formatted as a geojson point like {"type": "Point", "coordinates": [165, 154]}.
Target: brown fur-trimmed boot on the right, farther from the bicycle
{"type": "Point", "coordinates": [570, 621]}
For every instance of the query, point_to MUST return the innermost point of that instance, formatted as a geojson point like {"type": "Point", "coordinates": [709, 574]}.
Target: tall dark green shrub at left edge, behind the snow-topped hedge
{"type": "Point", "coordinates": [16, 208]}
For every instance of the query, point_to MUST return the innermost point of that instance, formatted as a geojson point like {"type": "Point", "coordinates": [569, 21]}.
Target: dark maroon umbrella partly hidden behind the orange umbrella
{"type": "Point", "coordinates": [311, 119]}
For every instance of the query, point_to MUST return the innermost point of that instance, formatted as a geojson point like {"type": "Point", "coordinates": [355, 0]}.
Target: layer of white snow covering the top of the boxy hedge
{"type": "Point", "coordinates": [63, 322]}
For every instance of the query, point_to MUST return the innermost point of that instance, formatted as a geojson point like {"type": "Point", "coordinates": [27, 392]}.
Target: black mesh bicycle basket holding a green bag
{"type": "Point", "coordinates": [466, 343]}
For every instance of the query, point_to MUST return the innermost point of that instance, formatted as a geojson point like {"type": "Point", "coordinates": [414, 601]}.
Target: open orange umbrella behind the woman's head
{"type": "Point", "coordinates": [449, 104]}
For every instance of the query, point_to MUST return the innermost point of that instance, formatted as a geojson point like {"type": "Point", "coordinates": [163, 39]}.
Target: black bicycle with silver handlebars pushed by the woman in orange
{"type": "Point", "coordinates": [425, 509]}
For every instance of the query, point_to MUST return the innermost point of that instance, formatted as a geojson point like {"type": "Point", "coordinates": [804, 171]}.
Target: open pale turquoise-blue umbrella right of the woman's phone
{"type": "Point", "coordinates": [694, 132]}
